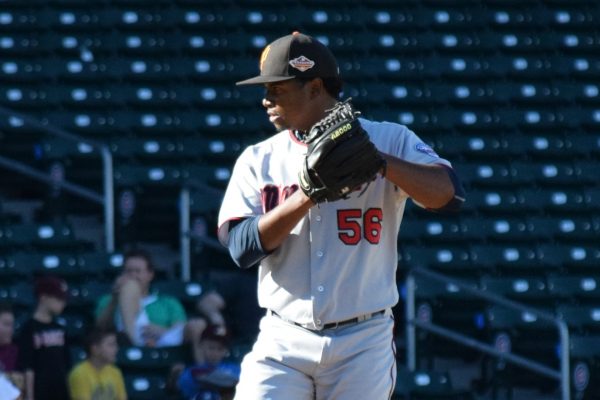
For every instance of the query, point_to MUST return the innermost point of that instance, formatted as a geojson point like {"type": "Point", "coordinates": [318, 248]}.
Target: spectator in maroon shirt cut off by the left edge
{"type": "Point", "coordinates": [9, 350]}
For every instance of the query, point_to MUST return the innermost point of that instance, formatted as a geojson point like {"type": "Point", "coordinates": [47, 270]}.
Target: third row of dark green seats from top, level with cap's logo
{"type": "Point", "coordinates": [226, 68]}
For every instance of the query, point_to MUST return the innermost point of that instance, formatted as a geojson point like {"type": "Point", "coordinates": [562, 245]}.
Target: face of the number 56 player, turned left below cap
{"type": "Point", "coordinates": [288, 105]}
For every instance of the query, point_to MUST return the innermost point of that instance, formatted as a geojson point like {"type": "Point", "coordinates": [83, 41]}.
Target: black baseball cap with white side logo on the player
{"type": "Point", "coordinates": [294, 56]}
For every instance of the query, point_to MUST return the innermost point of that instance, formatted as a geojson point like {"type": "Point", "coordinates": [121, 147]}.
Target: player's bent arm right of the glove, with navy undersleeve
{"type": "Point", "coordinates": [433, 186]}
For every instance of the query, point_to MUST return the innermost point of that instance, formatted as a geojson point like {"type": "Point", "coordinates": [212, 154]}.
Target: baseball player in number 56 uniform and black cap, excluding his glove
{"type": "Point", "coordinates": [327, 268]}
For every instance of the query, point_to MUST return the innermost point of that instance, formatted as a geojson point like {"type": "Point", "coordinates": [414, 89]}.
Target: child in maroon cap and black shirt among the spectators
{"type": "Point", "coordinates": [43, 349]}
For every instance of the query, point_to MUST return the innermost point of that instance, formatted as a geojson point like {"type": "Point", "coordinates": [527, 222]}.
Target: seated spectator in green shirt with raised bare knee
{"type": "Point", "coordinates": [141, 317]}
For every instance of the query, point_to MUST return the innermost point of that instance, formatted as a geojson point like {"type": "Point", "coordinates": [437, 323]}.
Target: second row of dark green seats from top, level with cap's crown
{"type": "Point", "coordinates": [89, 44]}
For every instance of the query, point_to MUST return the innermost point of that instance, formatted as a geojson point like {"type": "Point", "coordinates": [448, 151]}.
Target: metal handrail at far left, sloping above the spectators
{"type": "Point", "coordinates": [107, 199]}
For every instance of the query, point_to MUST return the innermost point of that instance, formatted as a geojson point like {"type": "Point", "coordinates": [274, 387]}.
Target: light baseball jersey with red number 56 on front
{"type": "Point", "coordinates": [340, 260]}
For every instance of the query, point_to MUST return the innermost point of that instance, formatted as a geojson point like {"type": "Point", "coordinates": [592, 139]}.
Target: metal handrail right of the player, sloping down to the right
{"type": "Point", "coordinates": [412, 323]}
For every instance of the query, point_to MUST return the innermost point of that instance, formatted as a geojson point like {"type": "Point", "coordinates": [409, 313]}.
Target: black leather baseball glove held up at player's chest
{"type": "Point", "coordinates": [340, 157]}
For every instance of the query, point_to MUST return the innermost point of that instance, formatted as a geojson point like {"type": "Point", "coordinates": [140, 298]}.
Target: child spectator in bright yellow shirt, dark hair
{"type": "Point", "coordinates": [97, 377]}
